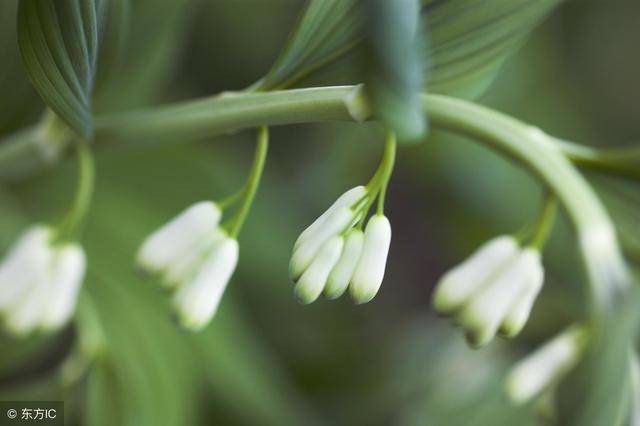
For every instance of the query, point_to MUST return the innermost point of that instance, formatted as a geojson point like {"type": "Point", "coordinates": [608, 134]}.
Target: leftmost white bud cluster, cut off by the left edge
{"type": "Point", "coordinates": [39, 281]}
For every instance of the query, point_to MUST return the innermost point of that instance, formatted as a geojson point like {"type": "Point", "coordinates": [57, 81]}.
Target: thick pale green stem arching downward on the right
{"type": "Point", "coordinates": [598, 243]}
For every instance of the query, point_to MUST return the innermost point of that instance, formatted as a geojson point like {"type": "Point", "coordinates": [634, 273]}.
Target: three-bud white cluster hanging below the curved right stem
{"type": "Point", "coordinates": [493, 291]}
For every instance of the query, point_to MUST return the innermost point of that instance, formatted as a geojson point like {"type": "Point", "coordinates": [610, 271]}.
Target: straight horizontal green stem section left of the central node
{"type": "Point", "coordinates": [201, 119]}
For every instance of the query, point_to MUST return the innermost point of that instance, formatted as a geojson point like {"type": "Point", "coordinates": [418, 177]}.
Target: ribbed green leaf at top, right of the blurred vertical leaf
{"type": "Point", "coordinates": [470, 40]}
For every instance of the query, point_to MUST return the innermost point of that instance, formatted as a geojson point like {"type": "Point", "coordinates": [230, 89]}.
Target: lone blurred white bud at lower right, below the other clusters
{"type": "Point", "coordinates": [546, 366]}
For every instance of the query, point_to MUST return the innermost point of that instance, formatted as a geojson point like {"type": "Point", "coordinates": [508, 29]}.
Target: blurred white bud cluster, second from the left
{"type": "Point", "coordinates": [195, 259]}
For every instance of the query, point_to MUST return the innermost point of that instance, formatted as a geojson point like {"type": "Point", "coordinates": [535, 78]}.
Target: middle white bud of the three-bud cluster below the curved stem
{"type": "Point", "coordinates": [482, 316]}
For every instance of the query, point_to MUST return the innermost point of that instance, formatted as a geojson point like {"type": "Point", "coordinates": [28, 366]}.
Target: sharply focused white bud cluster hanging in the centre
{"type": "Point", "coordinates": [334, 254]}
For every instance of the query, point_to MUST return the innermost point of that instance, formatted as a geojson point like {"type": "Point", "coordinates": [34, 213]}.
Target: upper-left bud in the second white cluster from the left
{"type": "Point", "coordinates": [178, 236]}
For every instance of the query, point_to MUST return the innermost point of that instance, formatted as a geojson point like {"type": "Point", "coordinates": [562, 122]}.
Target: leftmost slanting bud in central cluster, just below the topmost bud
{"type": "Point", "coordinates": [304, 254]}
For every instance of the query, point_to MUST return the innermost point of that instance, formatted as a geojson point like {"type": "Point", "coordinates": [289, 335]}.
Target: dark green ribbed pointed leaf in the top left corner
{"type": "Point", "coordinates": [58, 41]}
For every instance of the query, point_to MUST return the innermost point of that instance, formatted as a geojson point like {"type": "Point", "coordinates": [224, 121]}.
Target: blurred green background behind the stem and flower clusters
{"type": "Point", "coordinates": [265, 359]}
